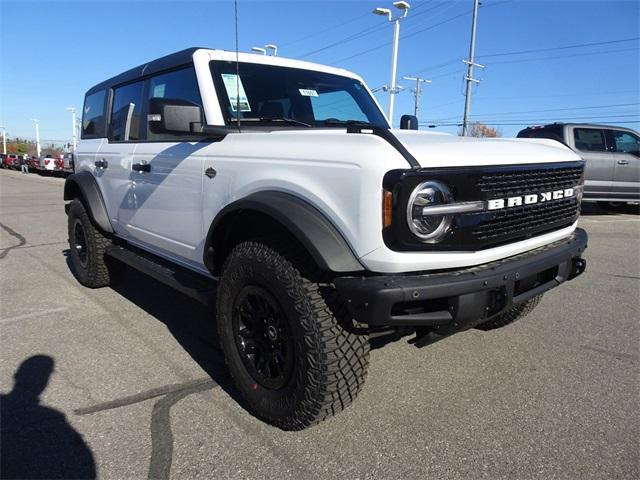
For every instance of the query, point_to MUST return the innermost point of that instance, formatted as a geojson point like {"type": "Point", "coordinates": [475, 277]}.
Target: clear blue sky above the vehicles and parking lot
{"type": "Point", "coordinates": [545, 61]}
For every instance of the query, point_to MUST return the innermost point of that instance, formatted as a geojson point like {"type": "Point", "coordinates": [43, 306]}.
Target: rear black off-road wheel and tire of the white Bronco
{"type": "Point", "coordinates": [87, 246]}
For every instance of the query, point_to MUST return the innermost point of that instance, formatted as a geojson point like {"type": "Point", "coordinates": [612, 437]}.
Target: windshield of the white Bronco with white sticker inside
{"type": "Point", "coordinates": [268, 95]}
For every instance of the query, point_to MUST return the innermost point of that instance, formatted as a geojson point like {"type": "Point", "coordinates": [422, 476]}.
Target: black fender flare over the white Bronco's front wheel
{"type": "Point", "coordinates": [306, 223]}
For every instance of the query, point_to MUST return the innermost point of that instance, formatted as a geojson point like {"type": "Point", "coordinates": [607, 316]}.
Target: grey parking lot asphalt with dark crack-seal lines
{"type": "Point", "coordinates": [127, 382]}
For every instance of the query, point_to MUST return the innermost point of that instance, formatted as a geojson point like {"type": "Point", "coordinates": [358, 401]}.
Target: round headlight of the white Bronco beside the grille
{"type": "Point", "coordinates": [429, 228]}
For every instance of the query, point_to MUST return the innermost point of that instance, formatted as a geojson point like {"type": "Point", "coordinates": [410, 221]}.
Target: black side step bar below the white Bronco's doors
{"type": "Point", "coordinates": [179, 278]}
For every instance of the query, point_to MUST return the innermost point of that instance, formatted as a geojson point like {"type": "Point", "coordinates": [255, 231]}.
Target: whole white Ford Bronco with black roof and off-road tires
{"type": "Point", "coordinates": [278, 188]}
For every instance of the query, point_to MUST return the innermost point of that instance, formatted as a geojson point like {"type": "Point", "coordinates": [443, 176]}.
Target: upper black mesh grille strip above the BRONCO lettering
{"type": "Point", "coordinates": [505, 184]}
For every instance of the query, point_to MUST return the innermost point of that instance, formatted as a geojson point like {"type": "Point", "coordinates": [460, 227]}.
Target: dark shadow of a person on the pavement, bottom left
{"type": "Point", "coordinates": [37, 441]}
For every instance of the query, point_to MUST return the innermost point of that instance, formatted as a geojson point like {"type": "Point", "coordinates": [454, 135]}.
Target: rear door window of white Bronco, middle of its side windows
{"type": "Point", "coordinates": [126, 112]}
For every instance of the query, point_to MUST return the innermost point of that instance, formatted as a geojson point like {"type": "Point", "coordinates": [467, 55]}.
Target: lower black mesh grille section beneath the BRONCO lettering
{"type": "Point", "coordinates": [528, 218]}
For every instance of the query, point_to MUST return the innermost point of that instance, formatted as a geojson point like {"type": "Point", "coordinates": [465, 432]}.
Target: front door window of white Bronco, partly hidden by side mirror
{"type": "Point", "coordinates": [177, 85]}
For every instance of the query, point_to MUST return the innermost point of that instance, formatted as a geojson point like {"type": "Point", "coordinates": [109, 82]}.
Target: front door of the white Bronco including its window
{"type": "Point", "coordinates": [165, 212]}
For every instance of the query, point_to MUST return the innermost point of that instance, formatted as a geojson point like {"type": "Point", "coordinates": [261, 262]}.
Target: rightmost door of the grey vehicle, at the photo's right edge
{"type": "Point", "coordinates": [625, 148]}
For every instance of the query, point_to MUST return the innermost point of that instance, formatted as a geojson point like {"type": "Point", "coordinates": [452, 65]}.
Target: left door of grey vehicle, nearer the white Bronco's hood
{"type": "Point", "coordinates": [591, 145]}
